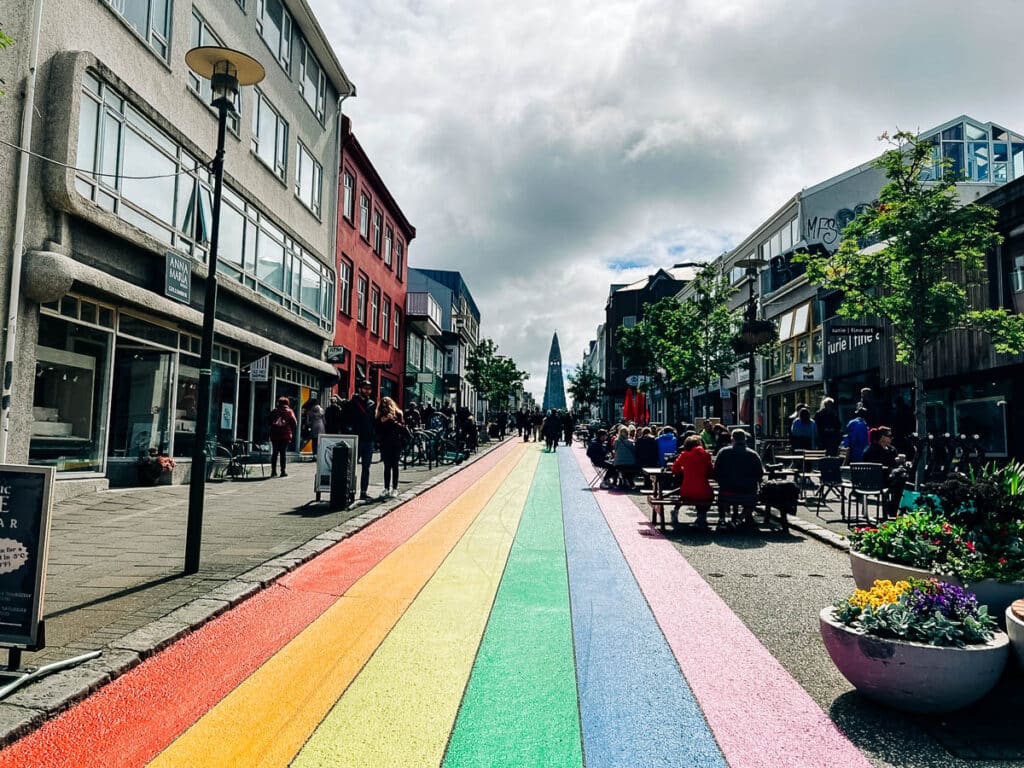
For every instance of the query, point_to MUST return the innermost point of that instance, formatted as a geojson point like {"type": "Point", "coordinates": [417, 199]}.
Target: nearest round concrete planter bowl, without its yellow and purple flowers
{"type": "Point", "coordinates": [914, 677]}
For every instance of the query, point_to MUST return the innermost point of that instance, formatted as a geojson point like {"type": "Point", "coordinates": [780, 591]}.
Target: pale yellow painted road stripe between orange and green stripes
{"type": "Point", "coordinates": [401, 709]}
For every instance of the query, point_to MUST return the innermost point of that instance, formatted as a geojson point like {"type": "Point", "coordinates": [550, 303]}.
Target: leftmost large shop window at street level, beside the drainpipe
{"type": "Point", "coordinates": [70, 397]}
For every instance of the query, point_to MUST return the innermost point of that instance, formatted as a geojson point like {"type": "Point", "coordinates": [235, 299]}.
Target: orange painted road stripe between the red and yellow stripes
{"type": "Point", "coordinates": [265, 722]}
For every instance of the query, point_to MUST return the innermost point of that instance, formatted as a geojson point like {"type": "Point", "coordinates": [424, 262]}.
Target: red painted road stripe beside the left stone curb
{"type": "Point", "coordinates": [131, 721]}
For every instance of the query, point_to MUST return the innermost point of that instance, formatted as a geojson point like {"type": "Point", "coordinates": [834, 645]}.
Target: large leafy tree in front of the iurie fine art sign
{"type": "Point", "coordinates": [929, 249]}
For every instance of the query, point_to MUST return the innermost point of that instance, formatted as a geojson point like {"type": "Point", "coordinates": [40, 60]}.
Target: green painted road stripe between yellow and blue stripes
{"type": "Point", "coordinates": [521, 706]}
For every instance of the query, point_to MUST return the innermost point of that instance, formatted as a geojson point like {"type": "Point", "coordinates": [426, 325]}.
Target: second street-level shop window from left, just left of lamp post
{"type": "Point", "coordinates": [141, 402]}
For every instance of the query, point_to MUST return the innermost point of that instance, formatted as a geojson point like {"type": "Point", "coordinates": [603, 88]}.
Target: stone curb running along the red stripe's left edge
{"type": "Point", "coordinates": [29, 708]}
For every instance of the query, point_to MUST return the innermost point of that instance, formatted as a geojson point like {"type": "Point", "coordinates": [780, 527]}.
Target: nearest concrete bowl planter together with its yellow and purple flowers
{"type": "Point", "coordinates": [919, 646]}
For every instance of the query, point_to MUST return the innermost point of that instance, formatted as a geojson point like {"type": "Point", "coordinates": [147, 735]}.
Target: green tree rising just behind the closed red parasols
{"type": "Point", "coordinates": [655, 349]}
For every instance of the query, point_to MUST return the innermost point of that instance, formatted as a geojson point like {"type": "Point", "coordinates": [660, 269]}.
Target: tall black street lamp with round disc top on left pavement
{"type": "Point", "coordinates": [227, 70]}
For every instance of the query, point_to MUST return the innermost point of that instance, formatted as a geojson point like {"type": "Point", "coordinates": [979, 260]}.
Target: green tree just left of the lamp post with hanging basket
{"type": "Point", "coordinates": [710, 329]}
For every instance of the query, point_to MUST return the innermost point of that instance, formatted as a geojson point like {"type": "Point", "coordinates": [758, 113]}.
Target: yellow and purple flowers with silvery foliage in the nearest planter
{"type": "Point", "coordinates": [921, 611]}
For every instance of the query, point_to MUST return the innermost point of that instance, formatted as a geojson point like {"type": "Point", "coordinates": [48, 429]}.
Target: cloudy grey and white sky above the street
{"type": "Point", "coordinates": [548, 149]}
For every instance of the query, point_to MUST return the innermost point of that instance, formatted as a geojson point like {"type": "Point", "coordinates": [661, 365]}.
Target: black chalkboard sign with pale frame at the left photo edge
{"type": "Point", "coordinates": [25, 528]}
